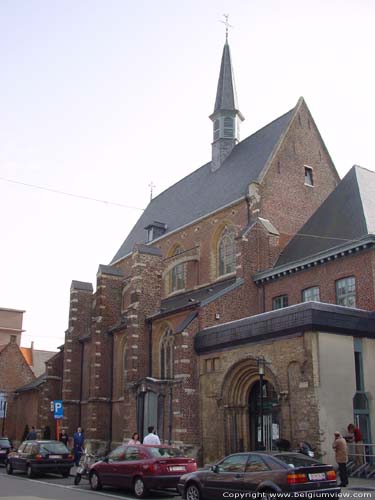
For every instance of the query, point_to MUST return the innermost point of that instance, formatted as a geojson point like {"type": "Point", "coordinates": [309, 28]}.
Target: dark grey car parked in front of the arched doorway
{"type": "Point", "coordinates": [292, 474]}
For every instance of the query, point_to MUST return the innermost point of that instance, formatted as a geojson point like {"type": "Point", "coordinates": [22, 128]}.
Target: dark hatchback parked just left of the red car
{"type": "Point", "coordinates": [37, 457]}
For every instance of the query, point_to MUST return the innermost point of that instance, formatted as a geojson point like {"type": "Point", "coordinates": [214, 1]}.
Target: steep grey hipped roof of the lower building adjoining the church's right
{"type": "Point", "coordinates": [347, 214]}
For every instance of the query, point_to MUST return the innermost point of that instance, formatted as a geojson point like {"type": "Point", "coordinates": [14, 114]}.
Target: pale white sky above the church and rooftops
{"type": "Point", "coordinates": [99, 98]}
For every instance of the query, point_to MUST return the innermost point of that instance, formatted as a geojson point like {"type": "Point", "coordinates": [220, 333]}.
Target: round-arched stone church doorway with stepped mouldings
{"type": "Point", "coordinates": [247, 422]}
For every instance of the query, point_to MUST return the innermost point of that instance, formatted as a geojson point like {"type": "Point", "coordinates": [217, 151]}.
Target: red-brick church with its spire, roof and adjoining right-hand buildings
{"type": "Point", "coordinates": [239, 308]}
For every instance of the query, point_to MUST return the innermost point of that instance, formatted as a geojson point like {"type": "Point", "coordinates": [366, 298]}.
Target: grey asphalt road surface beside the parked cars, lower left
{"type": "Point", "coordinates": [53, 487]}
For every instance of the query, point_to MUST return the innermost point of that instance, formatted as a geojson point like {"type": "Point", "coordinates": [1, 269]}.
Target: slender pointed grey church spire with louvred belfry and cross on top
{"type": "Point", "coordinates": [226, 116]}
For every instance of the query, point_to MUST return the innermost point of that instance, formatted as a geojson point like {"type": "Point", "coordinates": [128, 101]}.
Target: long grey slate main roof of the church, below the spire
{"type": "Point", "coordinates": [203, 191]}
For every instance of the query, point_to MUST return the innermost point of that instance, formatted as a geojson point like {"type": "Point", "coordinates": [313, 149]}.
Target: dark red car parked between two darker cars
{"type": "Point", "coordinates": [141, 468]}
